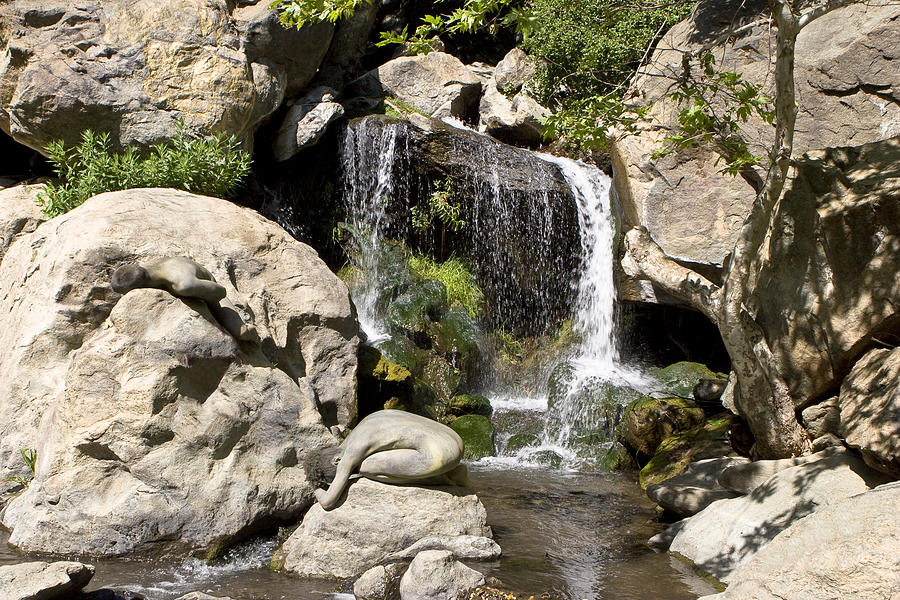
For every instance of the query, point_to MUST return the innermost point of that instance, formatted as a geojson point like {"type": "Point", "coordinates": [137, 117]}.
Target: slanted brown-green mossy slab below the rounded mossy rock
{"type": "Point", "coordinates": [673, 455]}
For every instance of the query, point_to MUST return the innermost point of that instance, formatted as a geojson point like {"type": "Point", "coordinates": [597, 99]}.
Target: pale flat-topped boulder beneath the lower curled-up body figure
{"type": "Point", "coordinates": [374, 522]}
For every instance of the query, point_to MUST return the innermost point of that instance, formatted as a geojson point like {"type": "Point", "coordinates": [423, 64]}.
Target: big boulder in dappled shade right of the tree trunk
{"type": "Point", "coordinates": [827, 287]}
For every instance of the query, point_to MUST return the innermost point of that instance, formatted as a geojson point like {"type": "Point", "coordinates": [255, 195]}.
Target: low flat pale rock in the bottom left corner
{"type": "Point", "coordinates": [43, 581]}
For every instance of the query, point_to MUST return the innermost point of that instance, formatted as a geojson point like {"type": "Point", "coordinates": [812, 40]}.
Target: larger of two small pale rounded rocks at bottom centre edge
{"type": "Point", "coordinates": [436, 575]}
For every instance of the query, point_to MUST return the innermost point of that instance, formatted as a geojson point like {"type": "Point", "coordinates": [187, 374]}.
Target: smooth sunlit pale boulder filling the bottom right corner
{"type": "Point", "coordinates": [850, 549]}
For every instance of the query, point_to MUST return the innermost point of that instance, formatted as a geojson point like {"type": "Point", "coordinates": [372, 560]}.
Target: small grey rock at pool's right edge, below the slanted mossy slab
{"type": "Point", "coordinates": [695, 488]}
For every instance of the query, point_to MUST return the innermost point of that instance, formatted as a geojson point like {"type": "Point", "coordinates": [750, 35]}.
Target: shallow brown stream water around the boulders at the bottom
{"type": "Point", "coordinates": [573, 535]}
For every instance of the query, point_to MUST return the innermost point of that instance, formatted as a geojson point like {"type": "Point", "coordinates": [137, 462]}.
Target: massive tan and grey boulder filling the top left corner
{"type": "Point", "coordinates": [137, 68]}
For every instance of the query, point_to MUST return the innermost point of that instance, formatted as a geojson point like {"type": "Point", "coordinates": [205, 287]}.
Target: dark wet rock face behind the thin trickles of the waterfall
{"type": "Point", "coordinates": [509, 199]}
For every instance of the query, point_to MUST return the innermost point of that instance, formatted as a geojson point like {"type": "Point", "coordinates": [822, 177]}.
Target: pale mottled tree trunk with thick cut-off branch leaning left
{"type": "Point", "coordinates": [764, 398]}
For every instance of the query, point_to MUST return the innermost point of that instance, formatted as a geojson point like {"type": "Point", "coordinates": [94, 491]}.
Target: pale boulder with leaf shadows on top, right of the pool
{"type": "Point", "coordinates": [728, 533]}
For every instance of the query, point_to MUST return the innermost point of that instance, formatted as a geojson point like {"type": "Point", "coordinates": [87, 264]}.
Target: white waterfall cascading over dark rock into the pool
{"type": "Point", "coordinates": [515, 218]}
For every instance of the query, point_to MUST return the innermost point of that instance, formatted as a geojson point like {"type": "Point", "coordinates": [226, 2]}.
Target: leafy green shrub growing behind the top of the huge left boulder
{"type": "Point", "coordinates": [212, 166]}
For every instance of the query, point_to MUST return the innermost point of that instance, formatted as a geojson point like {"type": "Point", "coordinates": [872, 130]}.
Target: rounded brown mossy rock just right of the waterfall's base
{"type": "Point", "coordinates": [648, 421]}
